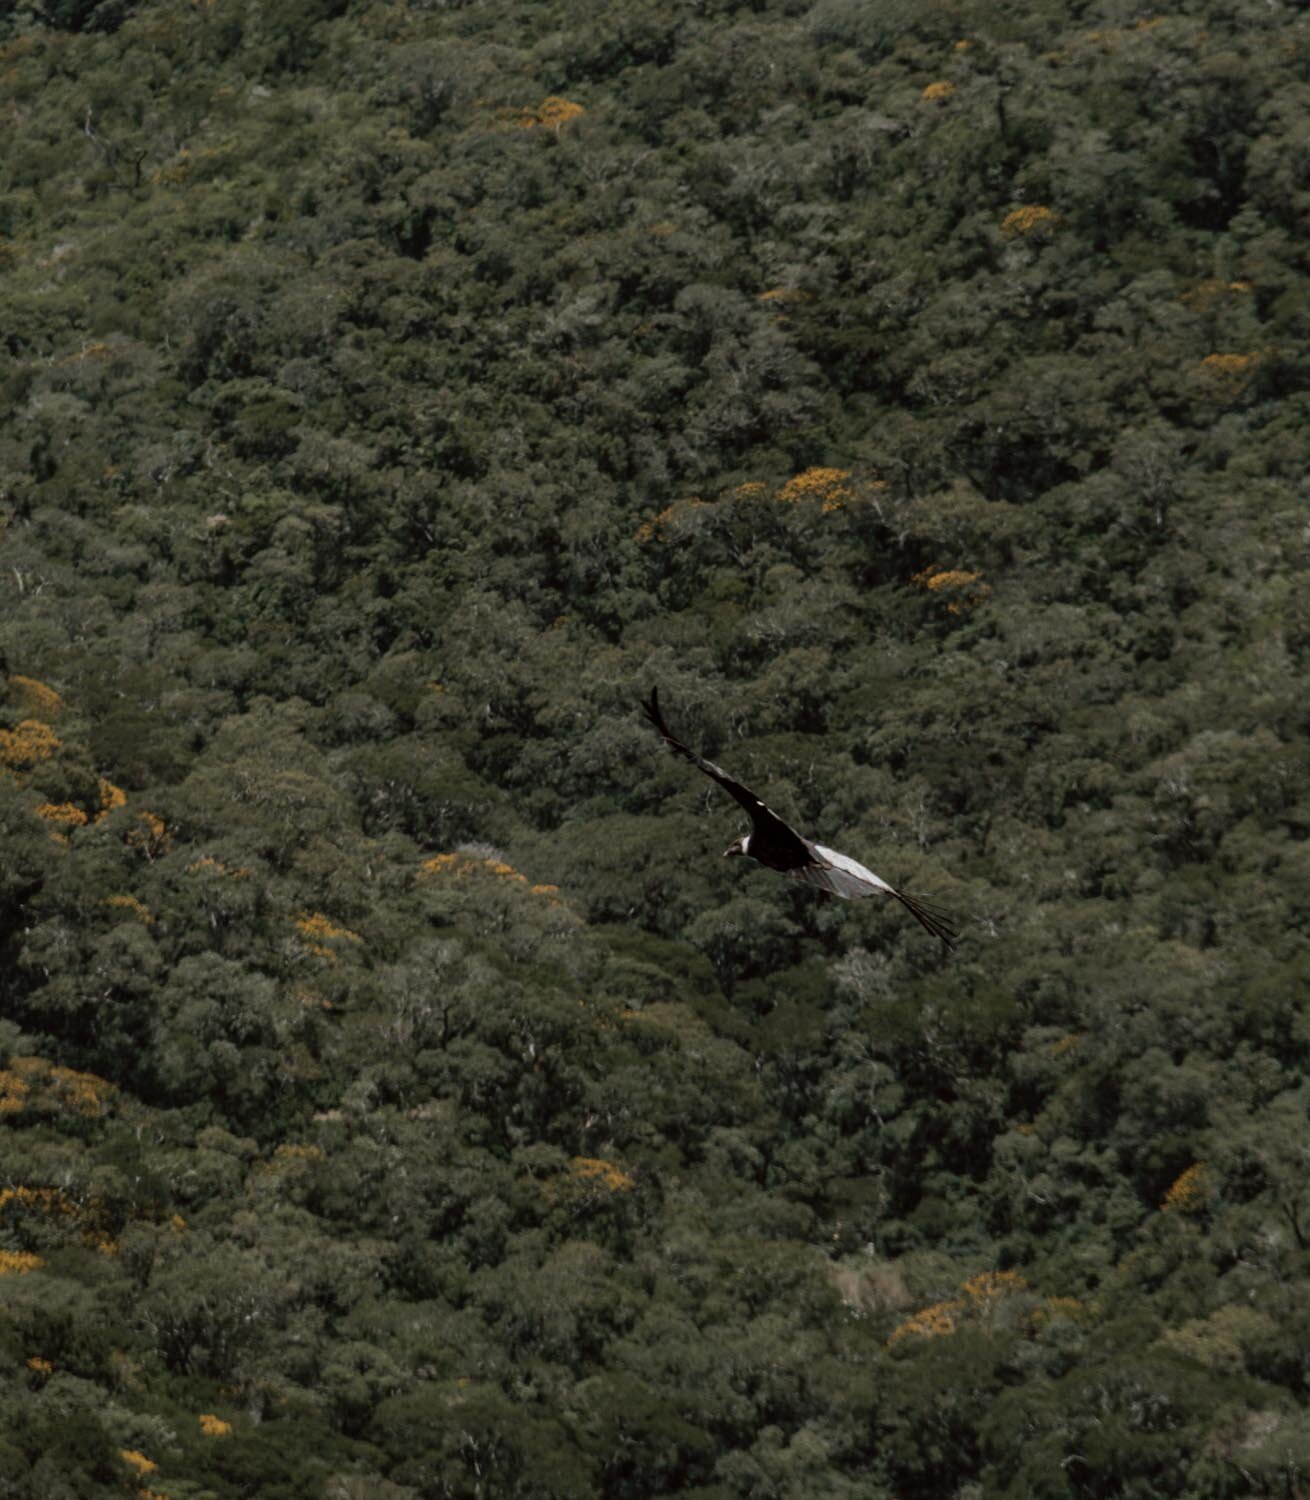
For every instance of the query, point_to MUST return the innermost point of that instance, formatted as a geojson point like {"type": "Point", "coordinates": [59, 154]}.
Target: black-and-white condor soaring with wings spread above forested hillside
{"type": "Point", "coordinates": [781, 848]}
